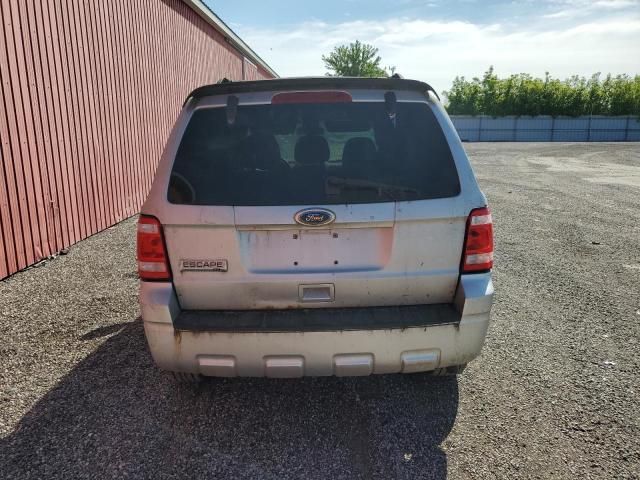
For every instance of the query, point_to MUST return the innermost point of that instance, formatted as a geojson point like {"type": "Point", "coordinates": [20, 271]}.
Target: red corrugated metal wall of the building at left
{"type": "Point", "coordinates": [90, 90]}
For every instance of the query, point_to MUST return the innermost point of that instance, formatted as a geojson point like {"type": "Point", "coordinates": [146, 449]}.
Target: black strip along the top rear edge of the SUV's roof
{"type": "Point", "coordinates": [395, 82]}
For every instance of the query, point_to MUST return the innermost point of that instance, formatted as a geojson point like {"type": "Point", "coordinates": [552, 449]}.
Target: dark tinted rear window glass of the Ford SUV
{"type": "Point", "coordinates": [301, 154]}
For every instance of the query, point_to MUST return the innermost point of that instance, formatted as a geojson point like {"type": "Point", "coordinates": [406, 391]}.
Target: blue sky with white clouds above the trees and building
{"type": "Point", "coordinates": [437, 40]}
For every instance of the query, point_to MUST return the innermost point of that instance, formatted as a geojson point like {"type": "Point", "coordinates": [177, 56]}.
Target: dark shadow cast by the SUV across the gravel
{"type": "Point", "coordinates": [116, 415]}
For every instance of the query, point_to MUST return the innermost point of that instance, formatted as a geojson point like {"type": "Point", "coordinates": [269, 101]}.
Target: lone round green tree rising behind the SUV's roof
{"type": "Point", "coordinates": [354, 60]}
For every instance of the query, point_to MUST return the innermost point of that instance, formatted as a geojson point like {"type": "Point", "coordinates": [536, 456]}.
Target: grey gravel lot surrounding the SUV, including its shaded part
{"type": "Point", "coordinates": [554, 394]}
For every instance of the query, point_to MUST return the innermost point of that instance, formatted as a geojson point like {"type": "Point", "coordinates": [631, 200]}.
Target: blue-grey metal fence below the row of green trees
{"type": "Point", "coordinates": [547, 129]}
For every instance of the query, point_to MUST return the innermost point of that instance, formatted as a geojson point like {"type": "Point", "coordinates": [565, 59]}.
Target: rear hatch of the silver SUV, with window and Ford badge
{"type": "Point", "coordinates": [314, 199]}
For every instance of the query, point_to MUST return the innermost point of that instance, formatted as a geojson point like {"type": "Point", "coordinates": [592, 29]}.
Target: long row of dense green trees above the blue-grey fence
{"type": "Point", "coordinates": [524, 95]}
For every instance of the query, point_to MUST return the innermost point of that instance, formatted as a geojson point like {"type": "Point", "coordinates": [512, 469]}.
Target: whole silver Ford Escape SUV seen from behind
{"type": "Point", "coordinates": [314, 226]}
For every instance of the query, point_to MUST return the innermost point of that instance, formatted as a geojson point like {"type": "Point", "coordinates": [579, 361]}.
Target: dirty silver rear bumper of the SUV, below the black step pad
{"type": "Point", "coordinates": [317, 353]}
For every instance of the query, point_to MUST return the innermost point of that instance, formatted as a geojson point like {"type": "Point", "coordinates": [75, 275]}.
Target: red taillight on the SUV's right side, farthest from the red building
{"type": "Point", "coordinates": [478, 244]}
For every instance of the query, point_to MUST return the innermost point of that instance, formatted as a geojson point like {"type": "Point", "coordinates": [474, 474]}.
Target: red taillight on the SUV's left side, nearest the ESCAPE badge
{"type": "Point", "coordinates": [153, 263]}
